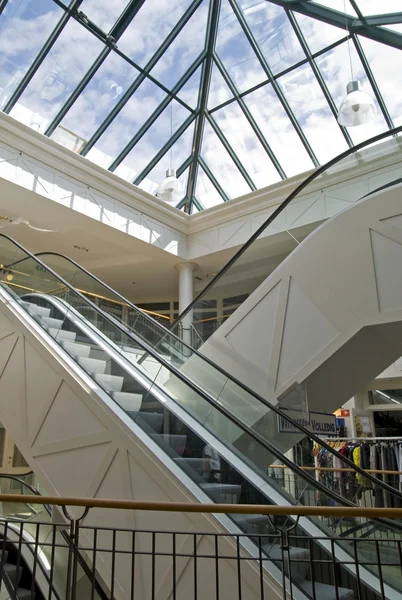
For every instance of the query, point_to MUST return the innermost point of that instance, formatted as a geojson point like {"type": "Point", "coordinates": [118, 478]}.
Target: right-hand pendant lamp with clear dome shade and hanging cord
{"type": "Point", "coordinates": [357, 108]}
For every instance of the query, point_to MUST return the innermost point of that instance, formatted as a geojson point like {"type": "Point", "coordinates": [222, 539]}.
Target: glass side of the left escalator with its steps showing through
{"type": "Point", "coordinates": [226, 461]}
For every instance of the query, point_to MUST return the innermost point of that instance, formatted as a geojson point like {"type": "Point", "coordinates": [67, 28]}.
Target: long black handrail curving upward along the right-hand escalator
{"type": "Point", "coordinates": [317, 172]}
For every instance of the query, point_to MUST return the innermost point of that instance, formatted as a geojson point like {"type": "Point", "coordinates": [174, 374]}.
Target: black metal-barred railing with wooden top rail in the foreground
{"type": "Point", "coordinates": [280, 561]}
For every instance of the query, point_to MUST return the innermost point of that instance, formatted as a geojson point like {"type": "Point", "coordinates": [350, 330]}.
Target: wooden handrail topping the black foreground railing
{"type": "Point", "coordinates": [248, 509]}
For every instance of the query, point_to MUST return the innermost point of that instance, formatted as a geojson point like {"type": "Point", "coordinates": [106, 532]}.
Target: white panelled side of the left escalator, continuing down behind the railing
{"type": "Point", "coordinates": [81, 444]}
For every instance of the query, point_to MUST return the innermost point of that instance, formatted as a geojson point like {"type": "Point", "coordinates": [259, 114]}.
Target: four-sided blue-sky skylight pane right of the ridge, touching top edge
{"type": "Point", "coordinates": [273, 32]}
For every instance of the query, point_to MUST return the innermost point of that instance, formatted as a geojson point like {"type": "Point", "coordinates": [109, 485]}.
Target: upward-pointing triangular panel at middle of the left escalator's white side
{"type": "Point", "coordinates": [68, 418]}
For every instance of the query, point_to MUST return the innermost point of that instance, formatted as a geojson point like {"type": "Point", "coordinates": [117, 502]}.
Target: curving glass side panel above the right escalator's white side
{"type": "Point", "coordinates": [324, 197]}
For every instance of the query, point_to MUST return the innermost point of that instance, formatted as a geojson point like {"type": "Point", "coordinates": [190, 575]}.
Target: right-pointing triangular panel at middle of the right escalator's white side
{"type": "Point", "coordinates": [306, 333]}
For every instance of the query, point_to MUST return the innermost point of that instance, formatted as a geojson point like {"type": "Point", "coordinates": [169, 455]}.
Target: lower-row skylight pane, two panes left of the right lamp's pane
{"type": "Point", "coordinates": [278, 130]}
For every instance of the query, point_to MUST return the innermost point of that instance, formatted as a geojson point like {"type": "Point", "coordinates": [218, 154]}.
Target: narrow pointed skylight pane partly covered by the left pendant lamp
{"type": "Point", "coordinates": [174, 158]}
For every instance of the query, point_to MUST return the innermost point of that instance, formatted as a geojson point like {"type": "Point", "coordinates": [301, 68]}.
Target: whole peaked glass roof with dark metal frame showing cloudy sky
{"type": "Point", "coordinates": [234, 94]}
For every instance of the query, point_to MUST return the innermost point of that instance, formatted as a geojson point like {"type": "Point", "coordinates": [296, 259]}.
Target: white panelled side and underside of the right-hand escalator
{"type": "Point", "coordinates": [330, 314]}
